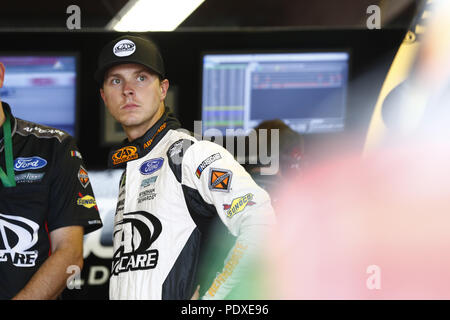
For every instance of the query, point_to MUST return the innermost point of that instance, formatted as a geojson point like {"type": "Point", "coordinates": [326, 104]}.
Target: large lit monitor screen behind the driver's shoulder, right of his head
{"type": "Point", "coordinates": [307, 90]}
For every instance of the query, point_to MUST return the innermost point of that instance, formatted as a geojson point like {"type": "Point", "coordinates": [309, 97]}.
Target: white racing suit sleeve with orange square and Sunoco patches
{"type": "Point", "coordinates": [243, 206]}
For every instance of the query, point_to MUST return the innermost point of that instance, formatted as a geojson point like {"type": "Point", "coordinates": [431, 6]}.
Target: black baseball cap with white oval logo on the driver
{"type": "Point", "coordinates": [129, 49]}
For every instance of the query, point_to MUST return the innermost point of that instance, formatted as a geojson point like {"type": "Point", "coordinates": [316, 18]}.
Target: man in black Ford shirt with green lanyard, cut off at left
{"type": "Point", "coordinates": [46, 204]}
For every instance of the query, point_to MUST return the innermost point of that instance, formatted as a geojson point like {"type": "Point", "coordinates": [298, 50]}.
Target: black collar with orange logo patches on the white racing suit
{"type": "Point", "coordinates": [139, 147]}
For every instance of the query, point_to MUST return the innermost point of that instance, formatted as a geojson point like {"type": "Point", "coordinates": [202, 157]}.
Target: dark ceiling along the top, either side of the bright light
{"type": "Point", "coordinates": [215, 14]}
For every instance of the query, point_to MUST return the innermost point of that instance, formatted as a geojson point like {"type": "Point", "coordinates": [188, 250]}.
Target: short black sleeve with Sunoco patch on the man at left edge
{"type": "Point", "coordinates": [72, 200]}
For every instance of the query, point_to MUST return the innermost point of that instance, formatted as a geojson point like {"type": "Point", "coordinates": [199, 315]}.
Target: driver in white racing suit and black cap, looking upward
{"type": "Point", "coordinates": [172, 189]}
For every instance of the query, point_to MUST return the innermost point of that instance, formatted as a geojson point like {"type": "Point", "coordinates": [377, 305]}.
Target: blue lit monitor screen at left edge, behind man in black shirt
{"type": "Point", "coordinates": [42, 88]}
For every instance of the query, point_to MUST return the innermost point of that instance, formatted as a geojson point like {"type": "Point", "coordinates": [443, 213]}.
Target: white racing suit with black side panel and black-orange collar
{"type": "Point", "coordinates": [173, 185]}
